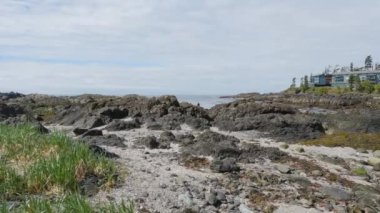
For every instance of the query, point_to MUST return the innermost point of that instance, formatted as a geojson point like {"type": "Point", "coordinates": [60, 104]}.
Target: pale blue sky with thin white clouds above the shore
{"type": "Point", "coordinates": [198, 47]}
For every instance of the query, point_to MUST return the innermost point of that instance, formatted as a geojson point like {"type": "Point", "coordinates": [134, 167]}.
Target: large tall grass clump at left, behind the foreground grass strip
{"type": "Point", "coordinates": [35, 163]}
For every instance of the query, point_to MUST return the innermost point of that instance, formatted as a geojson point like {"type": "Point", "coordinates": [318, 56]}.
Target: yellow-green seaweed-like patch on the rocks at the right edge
{"type": "Point", "coordinates": [369, 141]}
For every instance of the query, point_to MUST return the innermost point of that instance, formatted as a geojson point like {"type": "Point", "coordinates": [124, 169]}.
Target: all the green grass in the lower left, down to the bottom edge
{"type": "Point", "coordinates": [44, 172]}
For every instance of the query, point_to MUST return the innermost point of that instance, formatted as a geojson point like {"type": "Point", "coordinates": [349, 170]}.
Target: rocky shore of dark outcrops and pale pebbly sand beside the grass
{"type": "Point", "coordinates": [244, 156]}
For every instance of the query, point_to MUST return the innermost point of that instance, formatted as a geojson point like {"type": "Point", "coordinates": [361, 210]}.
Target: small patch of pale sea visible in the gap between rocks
{"type": "Point", "coordinates": [205, 101]}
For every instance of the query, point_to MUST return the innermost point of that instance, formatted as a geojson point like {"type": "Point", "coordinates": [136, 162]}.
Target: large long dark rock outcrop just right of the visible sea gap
{"type": "Point", "coordinates": [281, 121]}
